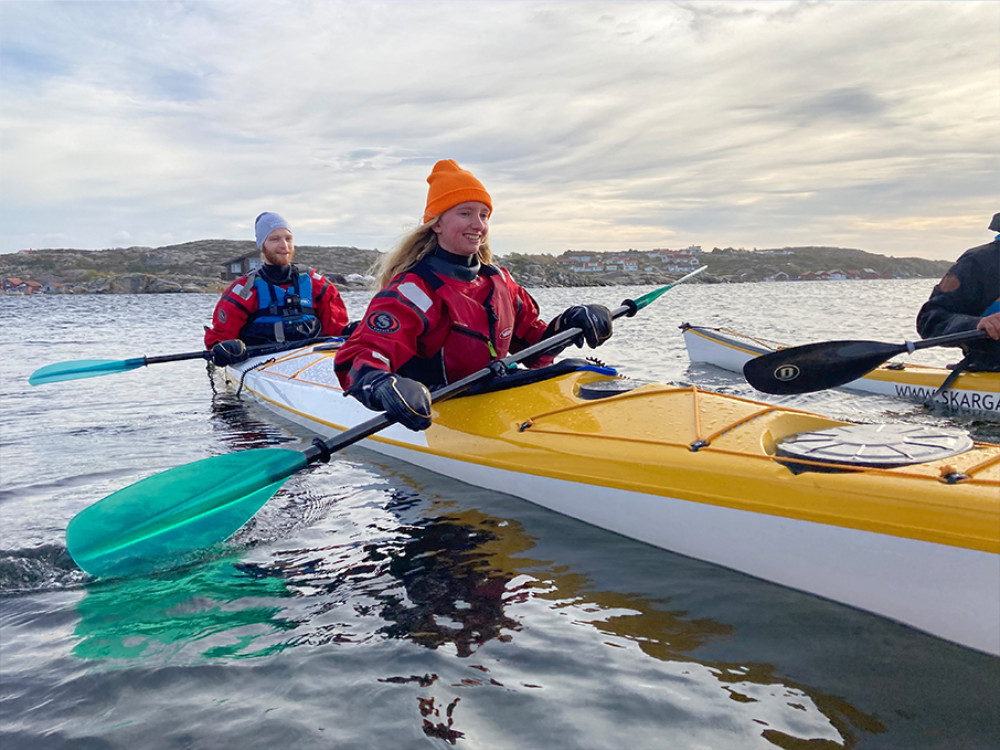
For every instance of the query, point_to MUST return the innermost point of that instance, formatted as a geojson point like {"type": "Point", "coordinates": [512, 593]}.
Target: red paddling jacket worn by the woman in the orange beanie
{"type": "Point", "coordinates": [441, 321]}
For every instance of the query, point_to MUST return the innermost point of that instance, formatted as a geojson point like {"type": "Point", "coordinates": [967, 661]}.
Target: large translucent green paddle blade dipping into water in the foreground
{"type": "Point", "coordinates": [166, 518]}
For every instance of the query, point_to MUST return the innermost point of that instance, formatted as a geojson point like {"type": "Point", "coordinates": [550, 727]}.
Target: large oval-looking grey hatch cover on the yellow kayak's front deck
{"type": "Point", "coordinates": [878, 445]}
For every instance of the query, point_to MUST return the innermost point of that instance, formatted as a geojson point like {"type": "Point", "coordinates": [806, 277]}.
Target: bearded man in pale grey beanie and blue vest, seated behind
{"type": "Point", "coordinates": [278, 302]}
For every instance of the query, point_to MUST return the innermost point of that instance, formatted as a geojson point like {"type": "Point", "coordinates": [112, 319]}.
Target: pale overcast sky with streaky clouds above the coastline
{"type": "Point", "coordinates": [594, 125]}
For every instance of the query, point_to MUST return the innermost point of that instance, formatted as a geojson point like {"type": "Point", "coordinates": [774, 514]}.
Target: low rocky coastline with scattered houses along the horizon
{"type": "Point", "coordinates": [202, 266]}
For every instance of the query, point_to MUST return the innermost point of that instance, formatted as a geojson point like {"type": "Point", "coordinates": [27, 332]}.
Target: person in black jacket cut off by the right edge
{"type": "Point", "coordinates": [967, 298]}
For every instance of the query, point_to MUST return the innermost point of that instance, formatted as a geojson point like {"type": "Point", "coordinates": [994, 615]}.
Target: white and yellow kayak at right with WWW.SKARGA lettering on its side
{"type": "Point", "coordinates": [977, 392]}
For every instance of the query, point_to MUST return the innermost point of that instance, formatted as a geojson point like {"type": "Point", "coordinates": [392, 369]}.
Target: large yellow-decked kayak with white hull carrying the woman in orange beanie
{"type": "Point", "coordinates": [903, 522]}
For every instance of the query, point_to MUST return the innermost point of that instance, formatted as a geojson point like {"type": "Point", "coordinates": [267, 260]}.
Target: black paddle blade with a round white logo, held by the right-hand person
{"type": "Point", "coordinates": [816, 367]}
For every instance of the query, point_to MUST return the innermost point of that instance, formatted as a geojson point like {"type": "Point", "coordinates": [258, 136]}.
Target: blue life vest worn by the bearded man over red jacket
{"type": "Point", "coordinates": [282, 314]}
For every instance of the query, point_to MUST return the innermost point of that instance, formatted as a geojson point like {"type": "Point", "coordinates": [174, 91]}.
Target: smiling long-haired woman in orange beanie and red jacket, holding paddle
{"type": "Point", "coordinates": [444, 310]}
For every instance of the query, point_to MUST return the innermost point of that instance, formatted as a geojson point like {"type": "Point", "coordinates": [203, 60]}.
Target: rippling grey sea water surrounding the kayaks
{"type": "Point", "coordinates": [371, 604]}
